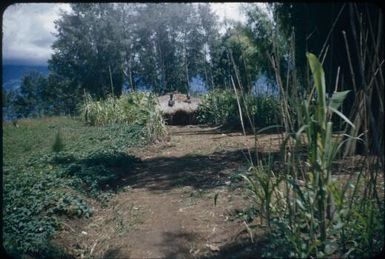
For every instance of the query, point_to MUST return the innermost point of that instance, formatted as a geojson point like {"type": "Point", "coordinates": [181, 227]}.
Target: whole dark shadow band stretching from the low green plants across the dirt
{"type": "Point", "coordinates": [106, 171]}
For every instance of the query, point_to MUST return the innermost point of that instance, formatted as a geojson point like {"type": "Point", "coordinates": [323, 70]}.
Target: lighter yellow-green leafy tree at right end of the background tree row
{"type": "Point", "coordinates": [248, 46]}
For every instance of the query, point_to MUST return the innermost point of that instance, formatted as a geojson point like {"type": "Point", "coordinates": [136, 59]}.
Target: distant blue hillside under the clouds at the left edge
{"type": "Point", "coordinates": [12, 74]}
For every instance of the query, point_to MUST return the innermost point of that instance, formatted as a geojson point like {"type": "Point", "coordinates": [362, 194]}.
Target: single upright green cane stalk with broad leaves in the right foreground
{"type": "Point", "coordinates": [322, 148]}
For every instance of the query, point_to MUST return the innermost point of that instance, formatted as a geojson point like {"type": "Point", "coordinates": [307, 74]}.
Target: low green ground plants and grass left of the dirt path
{"type": "Point", "coordinates": [41, 186]}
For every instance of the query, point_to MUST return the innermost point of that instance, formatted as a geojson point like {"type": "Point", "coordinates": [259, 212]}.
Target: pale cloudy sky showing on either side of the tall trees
{"type": "Point", "coordinates": [28, 29]}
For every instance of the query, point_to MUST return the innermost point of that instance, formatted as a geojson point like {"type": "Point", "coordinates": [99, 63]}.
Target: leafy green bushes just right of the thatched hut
{"type": "Point", "coordinates": [219, 107]}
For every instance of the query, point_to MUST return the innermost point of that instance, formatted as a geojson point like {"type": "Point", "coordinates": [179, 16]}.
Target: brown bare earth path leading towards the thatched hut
{"type": "Point", "coordinates": [166, 208]}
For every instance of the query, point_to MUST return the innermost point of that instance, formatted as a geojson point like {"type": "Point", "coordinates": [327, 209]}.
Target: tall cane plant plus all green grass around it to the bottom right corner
{"type": "Point", "coordinates": [308, 212]}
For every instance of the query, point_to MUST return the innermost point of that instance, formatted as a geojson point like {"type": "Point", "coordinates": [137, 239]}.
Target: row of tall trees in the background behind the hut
{"type": "Point", "coordinates": [103, 48]}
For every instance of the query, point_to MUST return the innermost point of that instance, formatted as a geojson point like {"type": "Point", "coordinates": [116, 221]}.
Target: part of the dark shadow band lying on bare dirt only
{"type": "Point", "coordinates": [197, 171]}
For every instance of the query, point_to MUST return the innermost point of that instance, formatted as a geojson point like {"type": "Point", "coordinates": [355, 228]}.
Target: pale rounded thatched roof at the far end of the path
{"type": "Point", "coordinates": [181, 104]}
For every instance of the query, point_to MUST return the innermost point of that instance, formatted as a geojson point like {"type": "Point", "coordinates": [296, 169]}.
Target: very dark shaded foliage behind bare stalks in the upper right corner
{"type": "Point", "coordinates": [336, 32]}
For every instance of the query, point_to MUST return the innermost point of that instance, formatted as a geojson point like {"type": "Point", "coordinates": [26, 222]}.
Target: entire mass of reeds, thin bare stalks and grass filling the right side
{"type": "Point", "coordinates": [310, 205]}
